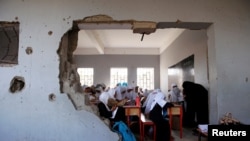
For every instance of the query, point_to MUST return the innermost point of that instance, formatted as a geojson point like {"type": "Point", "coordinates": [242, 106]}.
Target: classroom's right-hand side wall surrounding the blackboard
{"type": "Point", "coordinates": [189, 43]}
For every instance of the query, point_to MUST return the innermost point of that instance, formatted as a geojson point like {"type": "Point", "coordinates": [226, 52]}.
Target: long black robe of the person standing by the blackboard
{"type": "Point", "coordinates": [196, 97]}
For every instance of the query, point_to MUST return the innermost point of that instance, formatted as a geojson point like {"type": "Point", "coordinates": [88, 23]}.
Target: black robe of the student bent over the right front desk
{"type": "Point", "coordinates": [162, 123]}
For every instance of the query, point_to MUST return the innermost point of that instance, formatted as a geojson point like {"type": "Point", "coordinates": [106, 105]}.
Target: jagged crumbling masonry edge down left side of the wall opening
{"type": "Point", "coordinates": [68, 77]}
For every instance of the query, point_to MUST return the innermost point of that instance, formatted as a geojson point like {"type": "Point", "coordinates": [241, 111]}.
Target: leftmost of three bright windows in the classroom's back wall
{"type": "Point", "coordinates": [86, 76]}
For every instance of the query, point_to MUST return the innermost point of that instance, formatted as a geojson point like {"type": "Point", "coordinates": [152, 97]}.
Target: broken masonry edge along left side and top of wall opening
{"type": "Point", "coordinates": [69, 77]}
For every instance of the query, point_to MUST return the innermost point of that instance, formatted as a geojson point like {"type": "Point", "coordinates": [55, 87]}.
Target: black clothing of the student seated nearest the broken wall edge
{"type": "Point", "coordinates": [104, 112]}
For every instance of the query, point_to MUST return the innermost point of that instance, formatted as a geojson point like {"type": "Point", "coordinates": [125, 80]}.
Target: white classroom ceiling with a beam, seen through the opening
{"type": "Point", "coordinates": [124, 41]}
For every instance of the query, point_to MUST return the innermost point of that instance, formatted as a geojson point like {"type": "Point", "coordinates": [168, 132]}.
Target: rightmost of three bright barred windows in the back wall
{"type": "Point", "coordinates": [145, 78]}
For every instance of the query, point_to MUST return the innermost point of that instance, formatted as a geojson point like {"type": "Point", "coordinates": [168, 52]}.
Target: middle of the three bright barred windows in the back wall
{"type": "Point", "coordinates": [118, 75]}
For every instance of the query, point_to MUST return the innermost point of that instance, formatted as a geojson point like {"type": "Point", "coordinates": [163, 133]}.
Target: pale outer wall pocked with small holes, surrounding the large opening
{"type": "Point", "coordinates": [29, 116]}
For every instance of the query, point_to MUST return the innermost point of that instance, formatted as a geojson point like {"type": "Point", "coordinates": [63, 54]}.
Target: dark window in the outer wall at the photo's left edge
{"type": "Point", "coordinates": [9, 42]}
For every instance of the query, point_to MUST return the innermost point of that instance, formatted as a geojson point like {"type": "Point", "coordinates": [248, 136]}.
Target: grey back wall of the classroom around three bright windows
{"type": "Point", "coordinates": [103, 63]}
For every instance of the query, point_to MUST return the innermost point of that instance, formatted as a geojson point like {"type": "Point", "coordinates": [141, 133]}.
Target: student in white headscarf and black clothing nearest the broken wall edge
{"type": "Point", "coordinates": [108, 108]}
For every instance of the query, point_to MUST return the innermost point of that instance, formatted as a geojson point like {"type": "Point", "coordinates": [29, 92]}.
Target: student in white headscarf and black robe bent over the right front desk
{"type": "Point", "coordinates": [158, 114]}
